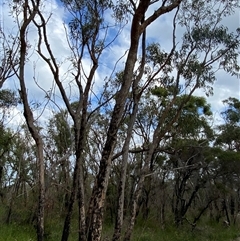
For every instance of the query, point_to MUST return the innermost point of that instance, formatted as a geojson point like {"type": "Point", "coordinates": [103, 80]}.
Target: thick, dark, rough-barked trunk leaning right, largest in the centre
{"type": "Point", "coordinates": [95, 212]}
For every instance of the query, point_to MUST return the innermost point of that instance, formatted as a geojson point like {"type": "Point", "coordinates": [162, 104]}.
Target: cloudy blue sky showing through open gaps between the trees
{"type": "Point", "coordinates": [225, 86]}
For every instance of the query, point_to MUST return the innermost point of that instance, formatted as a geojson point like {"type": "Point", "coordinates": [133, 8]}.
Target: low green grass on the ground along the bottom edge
{"type": "Point", "coordinates": [145, 231]}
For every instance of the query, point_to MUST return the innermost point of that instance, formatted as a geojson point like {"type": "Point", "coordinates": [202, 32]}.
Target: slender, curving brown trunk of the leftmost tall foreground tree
{"type": "Point", "coordinates": [28, 17]}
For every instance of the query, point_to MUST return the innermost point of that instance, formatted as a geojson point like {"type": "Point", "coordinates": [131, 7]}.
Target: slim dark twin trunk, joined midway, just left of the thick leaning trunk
{"type": "Point", "coordinates": [78, 180]}
